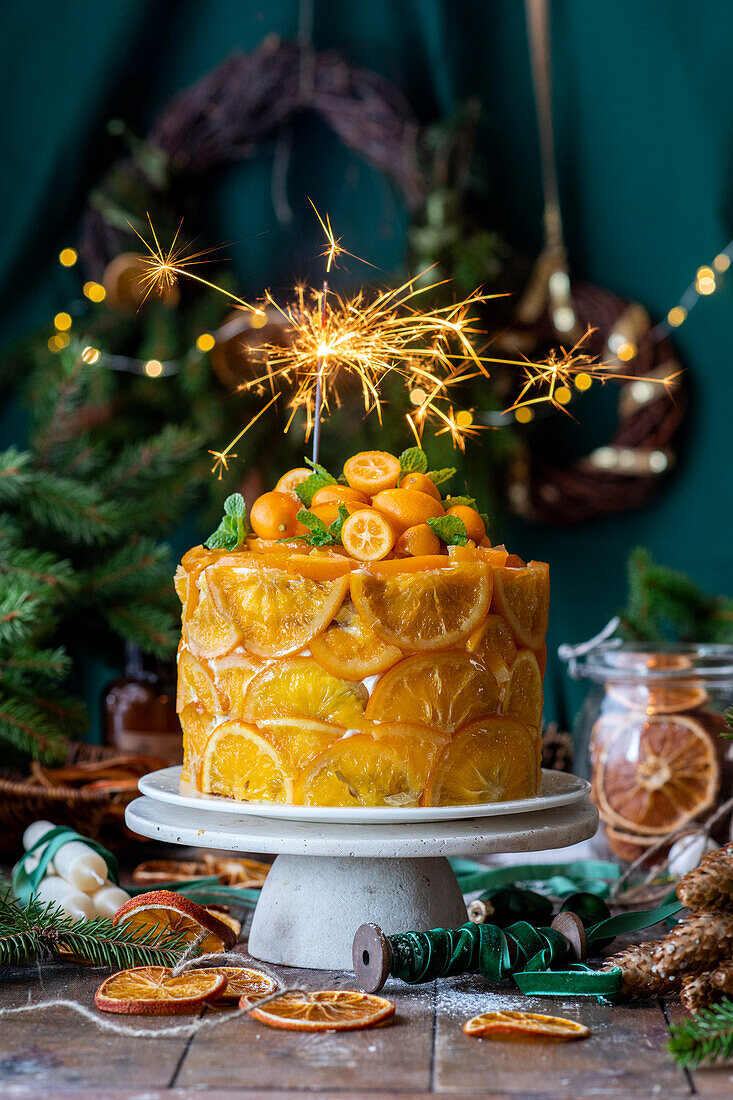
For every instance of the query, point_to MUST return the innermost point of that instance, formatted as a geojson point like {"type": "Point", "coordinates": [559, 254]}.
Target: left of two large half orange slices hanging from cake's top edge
{"type": "Point", "coordinates": [275, 612]}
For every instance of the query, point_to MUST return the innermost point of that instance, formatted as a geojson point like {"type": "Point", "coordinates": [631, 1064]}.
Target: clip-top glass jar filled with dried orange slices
{"type": "Point", "coordinates": [651, 736]}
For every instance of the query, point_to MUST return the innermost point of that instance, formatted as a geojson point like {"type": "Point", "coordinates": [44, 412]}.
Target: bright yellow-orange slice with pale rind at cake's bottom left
{"type": "Point", "coordinates": [242, 763]}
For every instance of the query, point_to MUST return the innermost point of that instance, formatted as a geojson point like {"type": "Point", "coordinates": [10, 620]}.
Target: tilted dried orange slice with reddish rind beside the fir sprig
{"type": "Point", "coordinates": [163, 909]}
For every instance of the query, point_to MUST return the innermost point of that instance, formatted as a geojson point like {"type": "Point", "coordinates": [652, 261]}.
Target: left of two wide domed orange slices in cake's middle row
{"type": "Point", "coordinates": [300, 688]}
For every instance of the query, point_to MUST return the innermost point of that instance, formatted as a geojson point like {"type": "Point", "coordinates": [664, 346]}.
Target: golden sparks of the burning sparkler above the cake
{"type": "Point", "coordinates": [364, 339]}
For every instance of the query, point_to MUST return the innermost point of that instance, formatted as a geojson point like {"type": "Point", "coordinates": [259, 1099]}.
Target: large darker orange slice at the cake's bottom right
{"type": "Point", "coordinates": [489, 761]}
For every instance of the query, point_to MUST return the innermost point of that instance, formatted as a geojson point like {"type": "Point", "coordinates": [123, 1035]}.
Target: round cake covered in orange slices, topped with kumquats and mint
{"type": "Point", "coordinates": [360, 643]}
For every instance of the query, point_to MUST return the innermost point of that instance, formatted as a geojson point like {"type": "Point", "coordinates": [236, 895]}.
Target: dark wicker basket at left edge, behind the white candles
{"type": "Point", "coordinates": [97, 815]}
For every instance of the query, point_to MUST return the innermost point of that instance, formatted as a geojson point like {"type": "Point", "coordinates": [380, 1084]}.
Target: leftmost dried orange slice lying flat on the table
{"type": "Point", "coordinates": [155, 992]}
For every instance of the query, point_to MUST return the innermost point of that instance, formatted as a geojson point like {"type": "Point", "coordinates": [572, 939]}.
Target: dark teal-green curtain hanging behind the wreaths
{"type": "Point", "coordinates": [644, 111]}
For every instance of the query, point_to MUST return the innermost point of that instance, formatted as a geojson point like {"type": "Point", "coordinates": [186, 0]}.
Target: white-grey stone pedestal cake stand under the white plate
{"type": "Point", "coordinates": [329, 879]}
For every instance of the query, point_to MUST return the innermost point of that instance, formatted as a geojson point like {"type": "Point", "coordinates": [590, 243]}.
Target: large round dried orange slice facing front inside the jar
{"type": "Point", "coordinates": [654, 775]}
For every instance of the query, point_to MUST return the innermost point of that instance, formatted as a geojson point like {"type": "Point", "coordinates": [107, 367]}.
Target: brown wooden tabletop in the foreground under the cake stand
{"type": "Point", "coordinates": [423, 1053]}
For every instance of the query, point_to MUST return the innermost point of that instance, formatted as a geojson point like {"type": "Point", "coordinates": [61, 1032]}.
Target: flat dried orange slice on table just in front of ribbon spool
{"type": "Point", "coordinates": [325, 1010]}
